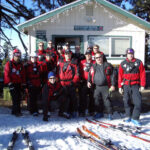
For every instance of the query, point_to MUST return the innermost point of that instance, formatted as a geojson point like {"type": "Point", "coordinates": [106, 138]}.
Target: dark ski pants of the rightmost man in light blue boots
{"type": "Point", "coordinates": [132, 96]}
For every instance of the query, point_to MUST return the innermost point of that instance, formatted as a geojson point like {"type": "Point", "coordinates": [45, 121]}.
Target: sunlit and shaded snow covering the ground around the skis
{"type": "Point", "coordinates": [56, 134]}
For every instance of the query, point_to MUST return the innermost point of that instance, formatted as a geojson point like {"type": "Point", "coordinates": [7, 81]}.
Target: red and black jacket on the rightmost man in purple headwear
{"type": "Point", "coordinates": [131, 73]}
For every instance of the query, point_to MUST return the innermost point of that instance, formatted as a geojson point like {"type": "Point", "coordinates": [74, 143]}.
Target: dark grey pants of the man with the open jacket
{"type": "Point", "coordinates": [102, 99]}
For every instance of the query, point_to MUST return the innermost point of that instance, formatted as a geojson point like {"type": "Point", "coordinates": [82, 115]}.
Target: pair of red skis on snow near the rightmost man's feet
{"type": "Point", "coordinates": [131, 131]}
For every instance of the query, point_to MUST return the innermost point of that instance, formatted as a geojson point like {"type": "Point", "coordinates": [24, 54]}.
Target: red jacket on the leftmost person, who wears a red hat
{"type": "Point", "coordinates": [14, 73]}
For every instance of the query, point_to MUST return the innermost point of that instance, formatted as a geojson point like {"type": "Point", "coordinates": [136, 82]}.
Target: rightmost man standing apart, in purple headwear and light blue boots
{"type": "Point", "coordinates": [131, 82]}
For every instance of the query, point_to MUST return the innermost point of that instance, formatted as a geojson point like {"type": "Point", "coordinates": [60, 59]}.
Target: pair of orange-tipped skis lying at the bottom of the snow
{"type": "Point", "coordinates": [97, 141]}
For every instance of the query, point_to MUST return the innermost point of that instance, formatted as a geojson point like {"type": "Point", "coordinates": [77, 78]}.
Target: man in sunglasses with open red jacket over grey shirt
{"type": "Point", "coordinates": [102, 75]}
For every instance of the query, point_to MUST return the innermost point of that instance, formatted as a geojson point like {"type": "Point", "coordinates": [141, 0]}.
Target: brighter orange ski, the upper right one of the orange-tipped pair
{"type": "Point", "coordinates": [107, 142]}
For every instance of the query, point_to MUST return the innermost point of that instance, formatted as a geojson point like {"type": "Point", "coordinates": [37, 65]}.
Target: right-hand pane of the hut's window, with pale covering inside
{"type": "Point", "coordinates": [119, 45]}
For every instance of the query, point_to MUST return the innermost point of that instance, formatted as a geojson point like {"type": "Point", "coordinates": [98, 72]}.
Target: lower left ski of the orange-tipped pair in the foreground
{"type": "Point", "coordinates": [93, 140]}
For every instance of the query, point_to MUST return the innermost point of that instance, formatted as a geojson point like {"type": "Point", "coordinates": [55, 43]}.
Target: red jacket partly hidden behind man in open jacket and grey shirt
{"type": "Point", "coordinates": [85, 68]}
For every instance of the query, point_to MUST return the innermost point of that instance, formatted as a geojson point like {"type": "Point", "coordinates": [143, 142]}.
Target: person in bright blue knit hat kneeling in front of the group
{"type": "Point", "coordinates": [51, 95]}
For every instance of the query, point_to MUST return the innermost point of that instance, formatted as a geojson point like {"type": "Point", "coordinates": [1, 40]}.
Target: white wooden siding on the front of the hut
{"type": "Point", "coordinates": [114, 25]}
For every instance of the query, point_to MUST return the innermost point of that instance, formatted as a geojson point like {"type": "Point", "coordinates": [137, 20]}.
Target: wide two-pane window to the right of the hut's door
{"type": "Point", "coordinates": [110, 45]}
